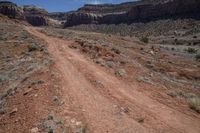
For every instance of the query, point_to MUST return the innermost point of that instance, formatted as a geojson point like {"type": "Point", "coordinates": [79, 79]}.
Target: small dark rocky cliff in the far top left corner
{"type": "Point", "coordinates": [10, 9]}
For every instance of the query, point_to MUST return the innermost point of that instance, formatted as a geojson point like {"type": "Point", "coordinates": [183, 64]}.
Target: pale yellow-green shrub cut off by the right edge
{"type": "Point", "coordinates": [194, 103]}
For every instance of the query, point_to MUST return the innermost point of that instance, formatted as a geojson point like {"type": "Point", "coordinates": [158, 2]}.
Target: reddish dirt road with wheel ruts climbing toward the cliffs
{"type": "Point", "coordinates": [108, 104]}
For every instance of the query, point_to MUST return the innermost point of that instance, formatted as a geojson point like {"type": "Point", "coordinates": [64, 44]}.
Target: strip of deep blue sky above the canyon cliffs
{"type": "Point", "coordinates": [63, 5]}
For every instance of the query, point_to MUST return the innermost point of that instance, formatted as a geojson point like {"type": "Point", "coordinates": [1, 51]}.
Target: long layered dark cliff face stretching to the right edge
{"type": "Point", "coordinates": [145, 10]}
